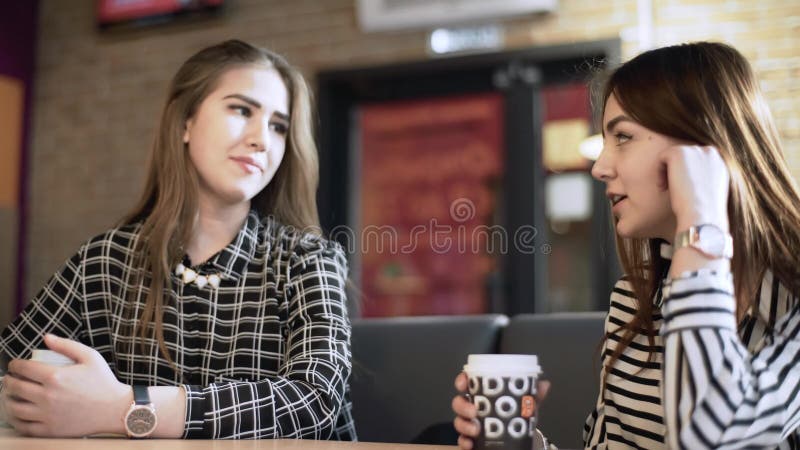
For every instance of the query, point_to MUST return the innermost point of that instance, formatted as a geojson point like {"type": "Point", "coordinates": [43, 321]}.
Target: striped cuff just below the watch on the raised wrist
{"type": "Point", "coordinates": [701, 299]}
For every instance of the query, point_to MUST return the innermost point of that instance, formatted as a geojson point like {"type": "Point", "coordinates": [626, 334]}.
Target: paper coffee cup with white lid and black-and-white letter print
{"type": "Point", "coordinates": [503, 387]}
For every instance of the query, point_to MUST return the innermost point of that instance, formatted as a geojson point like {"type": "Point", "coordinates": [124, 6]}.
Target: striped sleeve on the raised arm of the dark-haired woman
{"type": "Point", "coordinates": [716, 393]}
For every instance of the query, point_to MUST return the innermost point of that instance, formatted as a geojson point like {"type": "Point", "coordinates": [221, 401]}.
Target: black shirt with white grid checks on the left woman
{"type": "Point", "coordinates": [264, 355]}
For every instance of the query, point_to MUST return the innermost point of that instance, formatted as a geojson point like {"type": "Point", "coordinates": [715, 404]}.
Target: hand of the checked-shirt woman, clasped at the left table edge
{"type": "Point", "coordinates": [69, 401]}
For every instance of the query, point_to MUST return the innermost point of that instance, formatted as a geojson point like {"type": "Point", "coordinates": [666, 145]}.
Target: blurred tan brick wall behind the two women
{"type": "Point", "coordinates": [97, 95]}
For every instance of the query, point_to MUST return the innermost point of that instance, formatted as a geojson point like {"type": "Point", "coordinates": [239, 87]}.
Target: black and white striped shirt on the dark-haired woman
{"type": "Point", "coordinates": [723, 385]}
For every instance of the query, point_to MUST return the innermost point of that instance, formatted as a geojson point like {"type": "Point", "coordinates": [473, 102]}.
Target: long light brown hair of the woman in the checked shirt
{"type": "Point", "coordinates": [169, 203]}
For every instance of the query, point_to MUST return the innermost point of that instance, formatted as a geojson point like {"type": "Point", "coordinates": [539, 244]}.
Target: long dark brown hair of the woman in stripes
{"type": "Point", "coordinates": [706, 93]}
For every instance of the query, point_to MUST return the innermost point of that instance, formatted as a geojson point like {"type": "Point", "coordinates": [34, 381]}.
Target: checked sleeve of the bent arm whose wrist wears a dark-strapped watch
{"type": "Point", "coordinates": [306, 397]}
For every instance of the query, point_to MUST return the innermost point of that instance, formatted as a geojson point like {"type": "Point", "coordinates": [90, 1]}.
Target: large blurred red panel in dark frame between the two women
{"type": "Point", "coordinates": [430, 175]}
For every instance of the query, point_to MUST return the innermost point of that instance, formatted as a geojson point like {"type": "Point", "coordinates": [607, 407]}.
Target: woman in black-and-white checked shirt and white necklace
{"type": "Point", "coordinates": [215, 309]}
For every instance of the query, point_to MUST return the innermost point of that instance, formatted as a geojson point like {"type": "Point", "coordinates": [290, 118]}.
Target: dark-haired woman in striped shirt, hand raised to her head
{"type": "Point", "coordinates": [702, 344]}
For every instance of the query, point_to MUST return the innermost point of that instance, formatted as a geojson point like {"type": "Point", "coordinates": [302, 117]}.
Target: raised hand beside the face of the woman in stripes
{"type": "Point", "coordinates": [698, 181]}
